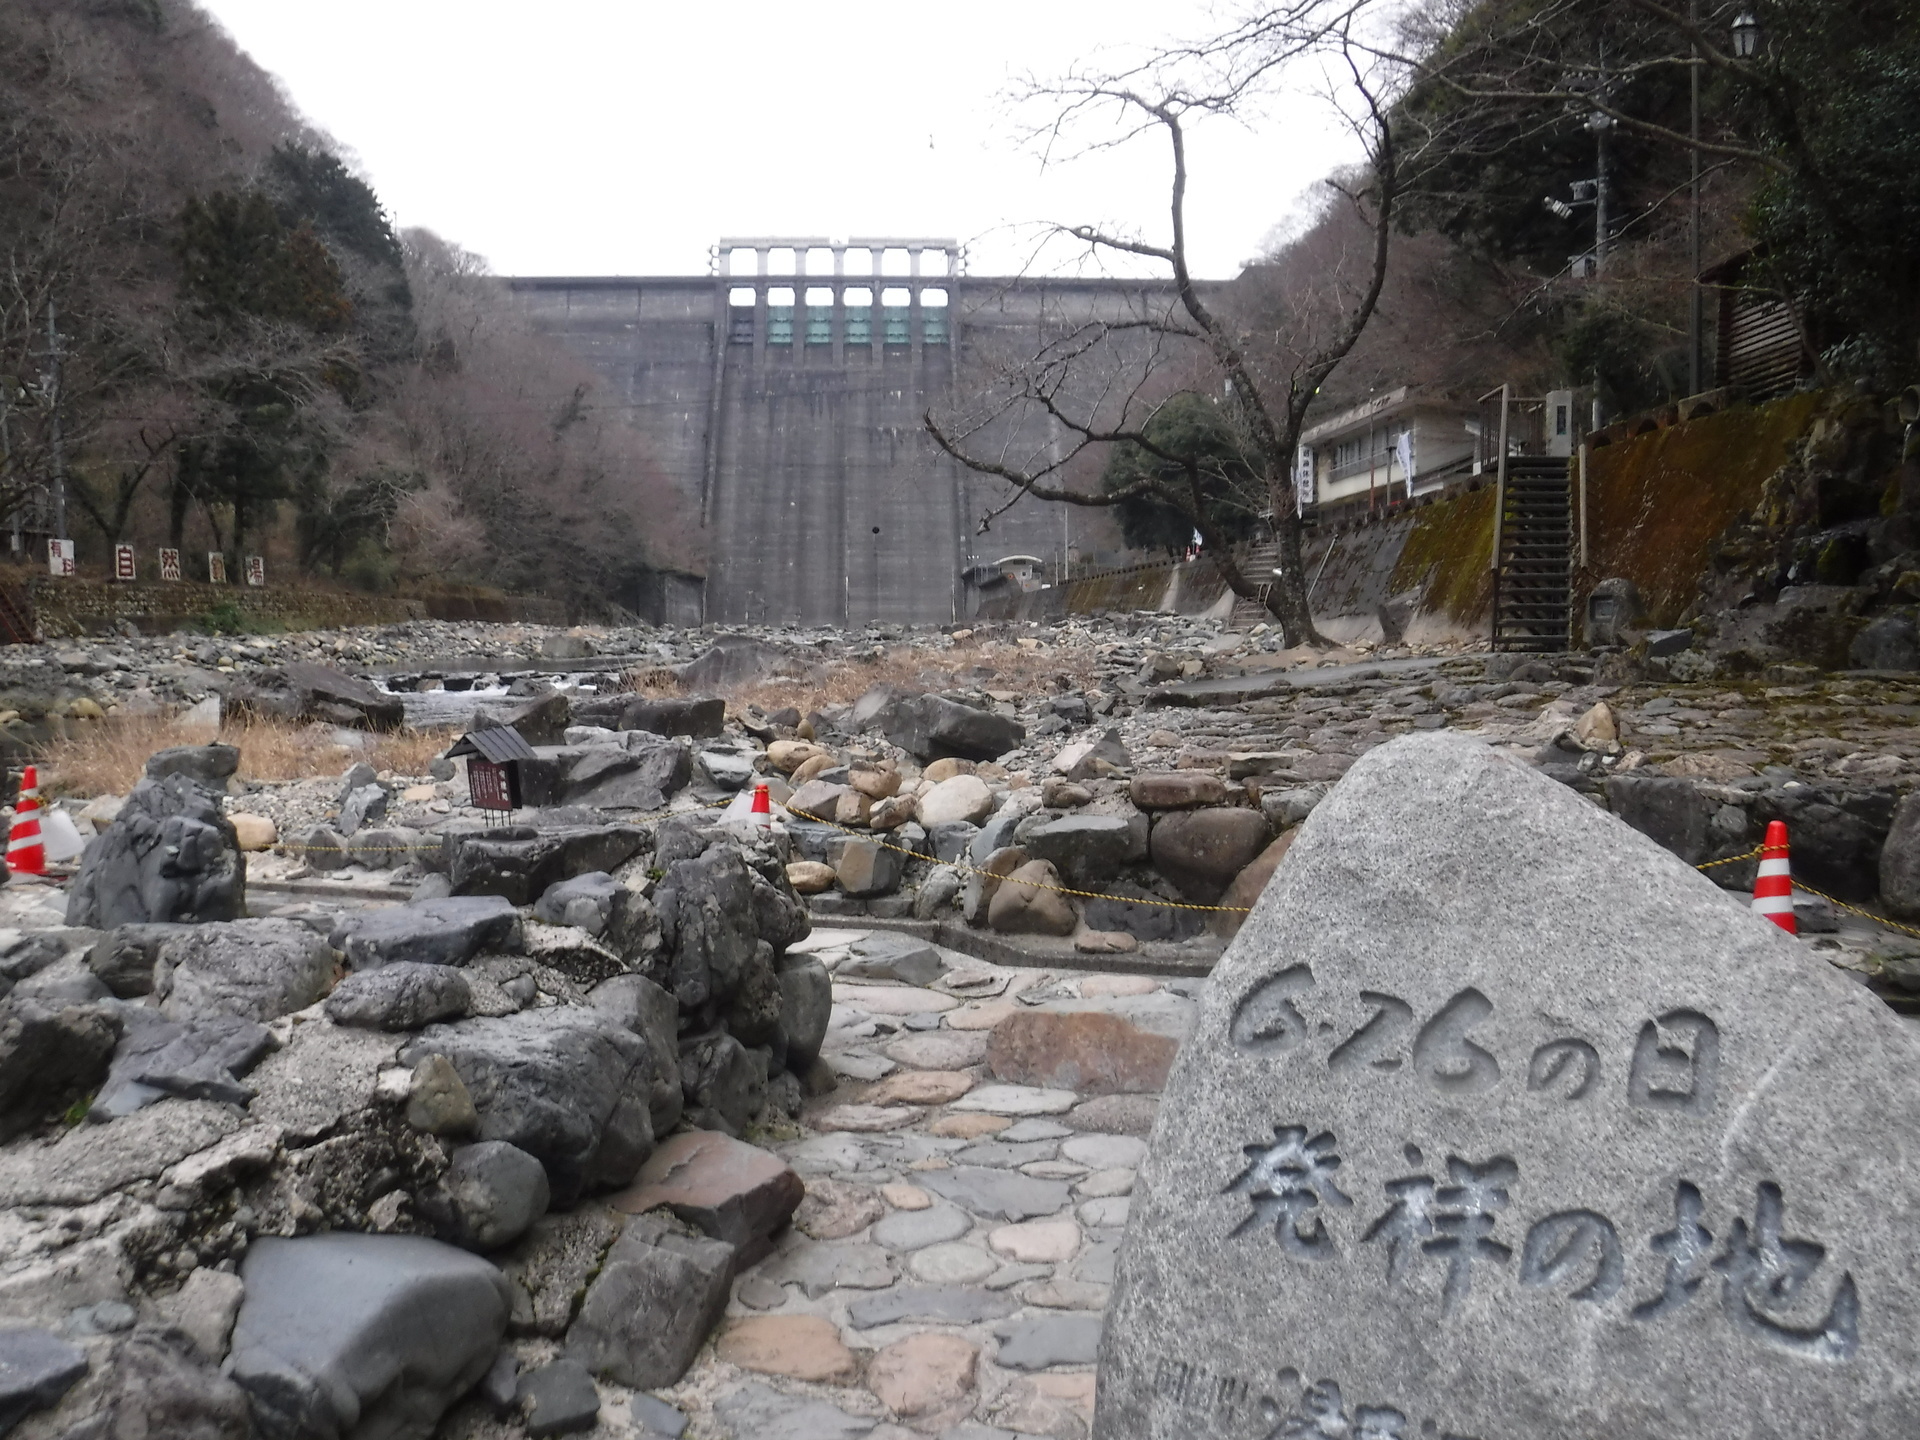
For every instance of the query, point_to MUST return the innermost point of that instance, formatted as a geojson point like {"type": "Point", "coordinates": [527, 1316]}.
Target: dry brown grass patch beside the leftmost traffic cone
{"type": "Point", "coordinates": [107, 757]}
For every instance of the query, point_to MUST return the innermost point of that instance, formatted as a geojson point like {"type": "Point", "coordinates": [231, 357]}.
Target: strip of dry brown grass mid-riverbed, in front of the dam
{"type": "Point", "coordinates": [988, 665]}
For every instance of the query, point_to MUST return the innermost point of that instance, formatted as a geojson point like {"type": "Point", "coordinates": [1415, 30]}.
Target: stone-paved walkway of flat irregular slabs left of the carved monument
{"type": "Point", "coordinates": [951, 1264]}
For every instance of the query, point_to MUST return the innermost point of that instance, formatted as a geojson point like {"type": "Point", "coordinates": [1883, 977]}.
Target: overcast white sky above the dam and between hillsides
{"type": "Point", "coordinates": [625, 137]}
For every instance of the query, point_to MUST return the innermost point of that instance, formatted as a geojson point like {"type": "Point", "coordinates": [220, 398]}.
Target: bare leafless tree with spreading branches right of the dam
{"type": "Point", "coordinates": [1101, 383]}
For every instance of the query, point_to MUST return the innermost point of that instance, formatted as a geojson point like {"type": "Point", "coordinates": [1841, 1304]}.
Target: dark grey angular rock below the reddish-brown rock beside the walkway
{"type": "Point", "coordinates": [654, 1305]}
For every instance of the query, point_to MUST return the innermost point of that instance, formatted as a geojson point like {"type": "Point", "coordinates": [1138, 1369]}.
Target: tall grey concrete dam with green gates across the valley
{"type": "Point", "coordinates": [786, 393]}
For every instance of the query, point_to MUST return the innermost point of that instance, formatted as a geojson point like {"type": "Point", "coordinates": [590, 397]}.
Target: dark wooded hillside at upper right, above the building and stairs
{"type": "Point", "coordinates": [1810, 156]}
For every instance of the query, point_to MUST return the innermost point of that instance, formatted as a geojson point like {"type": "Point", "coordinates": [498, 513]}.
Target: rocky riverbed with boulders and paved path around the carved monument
{"type": "Point", "coordinates": [825, 1130]}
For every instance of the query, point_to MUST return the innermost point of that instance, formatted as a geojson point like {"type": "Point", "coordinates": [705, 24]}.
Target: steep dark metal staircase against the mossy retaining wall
{"type": "Point", "coordinates": [1533, 571]}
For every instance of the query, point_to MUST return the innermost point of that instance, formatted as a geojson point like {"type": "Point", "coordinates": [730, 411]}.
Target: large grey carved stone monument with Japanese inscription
{"type": "Point", "coordinates": [1502, 1124]}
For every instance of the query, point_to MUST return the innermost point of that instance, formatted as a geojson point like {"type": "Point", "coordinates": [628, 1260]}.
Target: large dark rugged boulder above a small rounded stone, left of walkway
{"type": "Point", "coordinates": [565, 1084]}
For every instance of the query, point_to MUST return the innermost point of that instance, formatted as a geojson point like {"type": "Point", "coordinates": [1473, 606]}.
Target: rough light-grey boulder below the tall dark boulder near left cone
{"type": "Point", "coordinates": [249, 969]}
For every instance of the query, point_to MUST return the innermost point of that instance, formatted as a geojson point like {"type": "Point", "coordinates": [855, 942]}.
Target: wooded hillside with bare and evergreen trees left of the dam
{"type": "Point", "coordinates": [254, 362]}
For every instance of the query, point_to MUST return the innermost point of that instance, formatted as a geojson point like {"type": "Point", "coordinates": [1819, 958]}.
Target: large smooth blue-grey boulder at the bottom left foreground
{"type": "Point", "coordinates": [364, 1335]}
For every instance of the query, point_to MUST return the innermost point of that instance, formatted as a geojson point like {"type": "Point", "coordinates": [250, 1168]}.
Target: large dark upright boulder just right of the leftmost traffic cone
{"type": "Point", "coordinates": [170, 855]}
